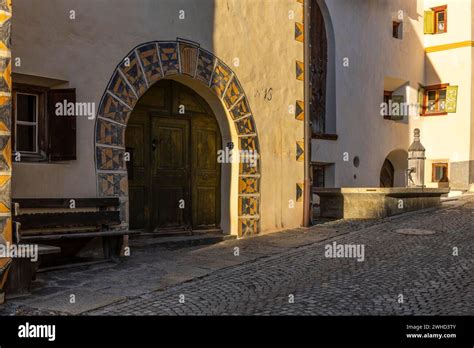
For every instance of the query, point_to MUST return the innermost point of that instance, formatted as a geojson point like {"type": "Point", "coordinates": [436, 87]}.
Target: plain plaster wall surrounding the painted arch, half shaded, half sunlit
{"type": "Point", "coordinates": [86, 50]}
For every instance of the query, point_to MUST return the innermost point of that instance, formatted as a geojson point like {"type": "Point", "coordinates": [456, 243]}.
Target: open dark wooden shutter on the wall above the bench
{"type": "Point", "coordinates": [61, 129]}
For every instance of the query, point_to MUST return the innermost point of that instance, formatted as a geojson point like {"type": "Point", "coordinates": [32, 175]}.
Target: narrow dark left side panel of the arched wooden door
{"type": "Point", "coordinates": [138, 169]}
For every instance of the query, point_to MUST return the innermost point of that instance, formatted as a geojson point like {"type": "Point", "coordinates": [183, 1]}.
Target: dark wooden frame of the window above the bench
{"type": "Point", "coordinates": [41, 121]}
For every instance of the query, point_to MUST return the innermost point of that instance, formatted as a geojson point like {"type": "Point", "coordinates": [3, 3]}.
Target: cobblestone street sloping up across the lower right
{"type": "Point", "coordinates": [421, 270]}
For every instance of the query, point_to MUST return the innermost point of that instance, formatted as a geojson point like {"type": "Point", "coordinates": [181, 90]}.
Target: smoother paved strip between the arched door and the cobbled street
{"type": "Point", "coordinates": [152, 266]}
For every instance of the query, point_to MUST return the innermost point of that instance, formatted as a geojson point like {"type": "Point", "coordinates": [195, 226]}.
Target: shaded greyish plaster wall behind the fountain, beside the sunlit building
{"type": "Point", "coordinates": [363, 34]}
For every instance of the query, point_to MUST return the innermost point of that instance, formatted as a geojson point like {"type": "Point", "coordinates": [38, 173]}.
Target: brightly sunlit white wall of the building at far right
{"type": "Point", "coordinates": [449, 138]}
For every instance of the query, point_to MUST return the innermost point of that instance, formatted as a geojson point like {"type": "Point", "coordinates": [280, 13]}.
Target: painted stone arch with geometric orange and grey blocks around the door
{"type": "Point", "coordinates": [134, 75]}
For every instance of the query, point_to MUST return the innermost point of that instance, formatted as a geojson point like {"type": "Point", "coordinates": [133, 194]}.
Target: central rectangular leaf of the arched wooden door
{"type": "Point", "coordinates": [170, 178]}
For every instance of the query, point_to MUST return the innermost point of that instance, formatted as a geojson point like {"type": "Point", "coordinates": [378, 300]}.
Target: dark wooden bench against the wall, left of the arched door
{"type": "Point", "coordinates": [61, 227]}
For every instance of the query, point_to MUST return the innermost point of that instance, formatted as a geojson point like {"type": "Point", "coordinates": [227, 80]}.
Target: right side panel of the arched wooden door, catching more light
{"type": "Point", "coordinates": [206, 141]}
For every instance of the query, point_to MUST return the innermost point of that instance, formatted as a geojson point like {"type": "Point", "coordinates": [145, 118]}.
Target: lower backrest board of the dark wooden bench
{"type": "Point", "coordinates": [58, 220]}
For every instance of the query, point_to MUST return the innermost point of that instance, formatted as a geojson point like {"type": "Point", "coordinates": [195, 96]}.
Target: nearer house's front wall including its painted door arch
{"type": "Point", "coordinates": [242, 58]}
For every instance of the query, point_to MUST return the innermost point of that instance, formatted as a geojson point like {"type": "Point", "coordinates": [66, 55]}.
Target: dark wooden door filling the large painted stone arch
{"type": "Point", "coordinates": [173, 137]}
